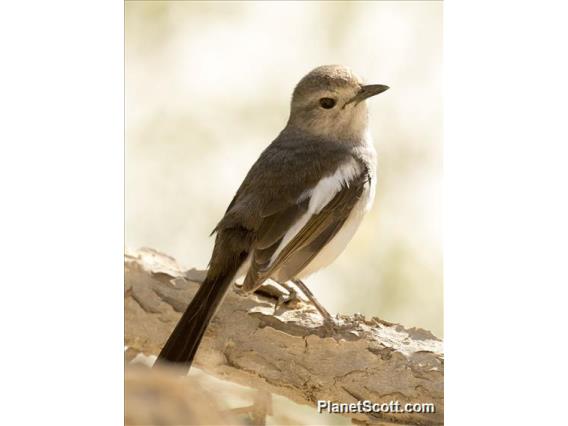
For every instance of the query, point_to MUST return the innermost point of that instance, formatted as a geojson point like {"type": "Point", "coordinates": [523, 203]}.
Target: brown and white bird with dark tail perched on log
{"type": "Point", "coordinates": [298, 206]}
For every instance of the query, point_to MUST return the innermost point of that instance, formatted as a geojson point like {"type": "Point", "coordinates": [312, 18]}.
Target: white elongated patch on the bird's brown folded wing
{"type": "Point", "coordinates": [319, 196]}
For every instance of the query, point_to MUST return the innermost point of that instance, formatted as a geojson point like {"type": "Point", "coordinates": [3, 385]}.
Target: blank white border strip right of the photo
{"type": "Point", "coordinates": [505, 212]}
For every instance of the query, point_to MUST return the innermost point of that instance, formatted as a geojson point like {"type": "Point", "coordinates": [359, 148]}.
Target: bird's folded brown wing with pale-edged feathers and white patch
{"type": "Point", "coordinates": [290, 238]}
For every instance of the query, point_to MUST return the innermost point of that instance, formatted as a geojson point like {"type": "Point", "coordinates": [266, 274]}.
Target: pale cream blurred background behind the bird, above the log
{"type": "Point", "coordinates": [208, 86]}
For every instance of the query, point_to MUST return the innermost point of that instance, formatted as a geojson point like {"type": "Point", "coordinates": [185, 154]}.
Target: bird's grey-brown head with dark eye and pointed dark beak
{"type": "Point", "coordinates": [330, 102]}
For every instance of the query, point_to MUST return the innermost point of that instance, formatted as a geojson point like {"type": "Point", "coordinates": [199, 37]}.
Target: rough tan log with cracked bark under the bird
{"type": "Point", "coordinates": [288, 352]}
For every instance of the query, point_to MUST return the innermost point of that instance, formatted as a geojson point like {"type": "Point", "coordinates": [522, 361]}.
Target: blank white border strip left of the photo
{"type": "Point", "coordinates": [61, 171]}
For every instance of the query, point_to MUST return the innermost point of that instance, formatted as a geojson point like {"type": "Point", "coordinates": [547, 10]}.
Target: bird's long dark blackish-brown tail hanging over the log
{"type": "Point", "coordinates": [184, 340]}
